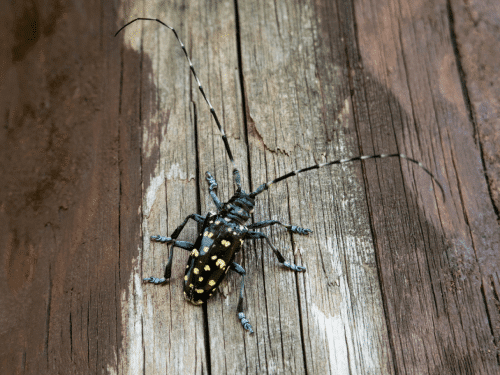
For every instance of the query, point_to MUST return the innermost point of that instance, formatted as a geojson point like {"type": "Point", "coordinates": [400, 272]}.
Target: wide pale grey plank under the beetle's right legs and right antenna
{"type": "Point", "coordinates": [297, 85]}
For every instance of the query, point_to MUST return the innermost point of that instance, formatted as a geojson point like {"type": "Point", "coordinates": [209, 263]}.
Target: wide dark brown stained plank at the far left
{"type": "Point", "coordinates": [59, 189]}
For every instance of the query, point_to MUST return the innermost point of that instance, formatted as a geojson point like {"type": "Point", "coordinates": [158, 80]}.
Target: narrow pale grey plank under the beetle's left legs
{"type": "Point", "coordinates": [171, 334]}
